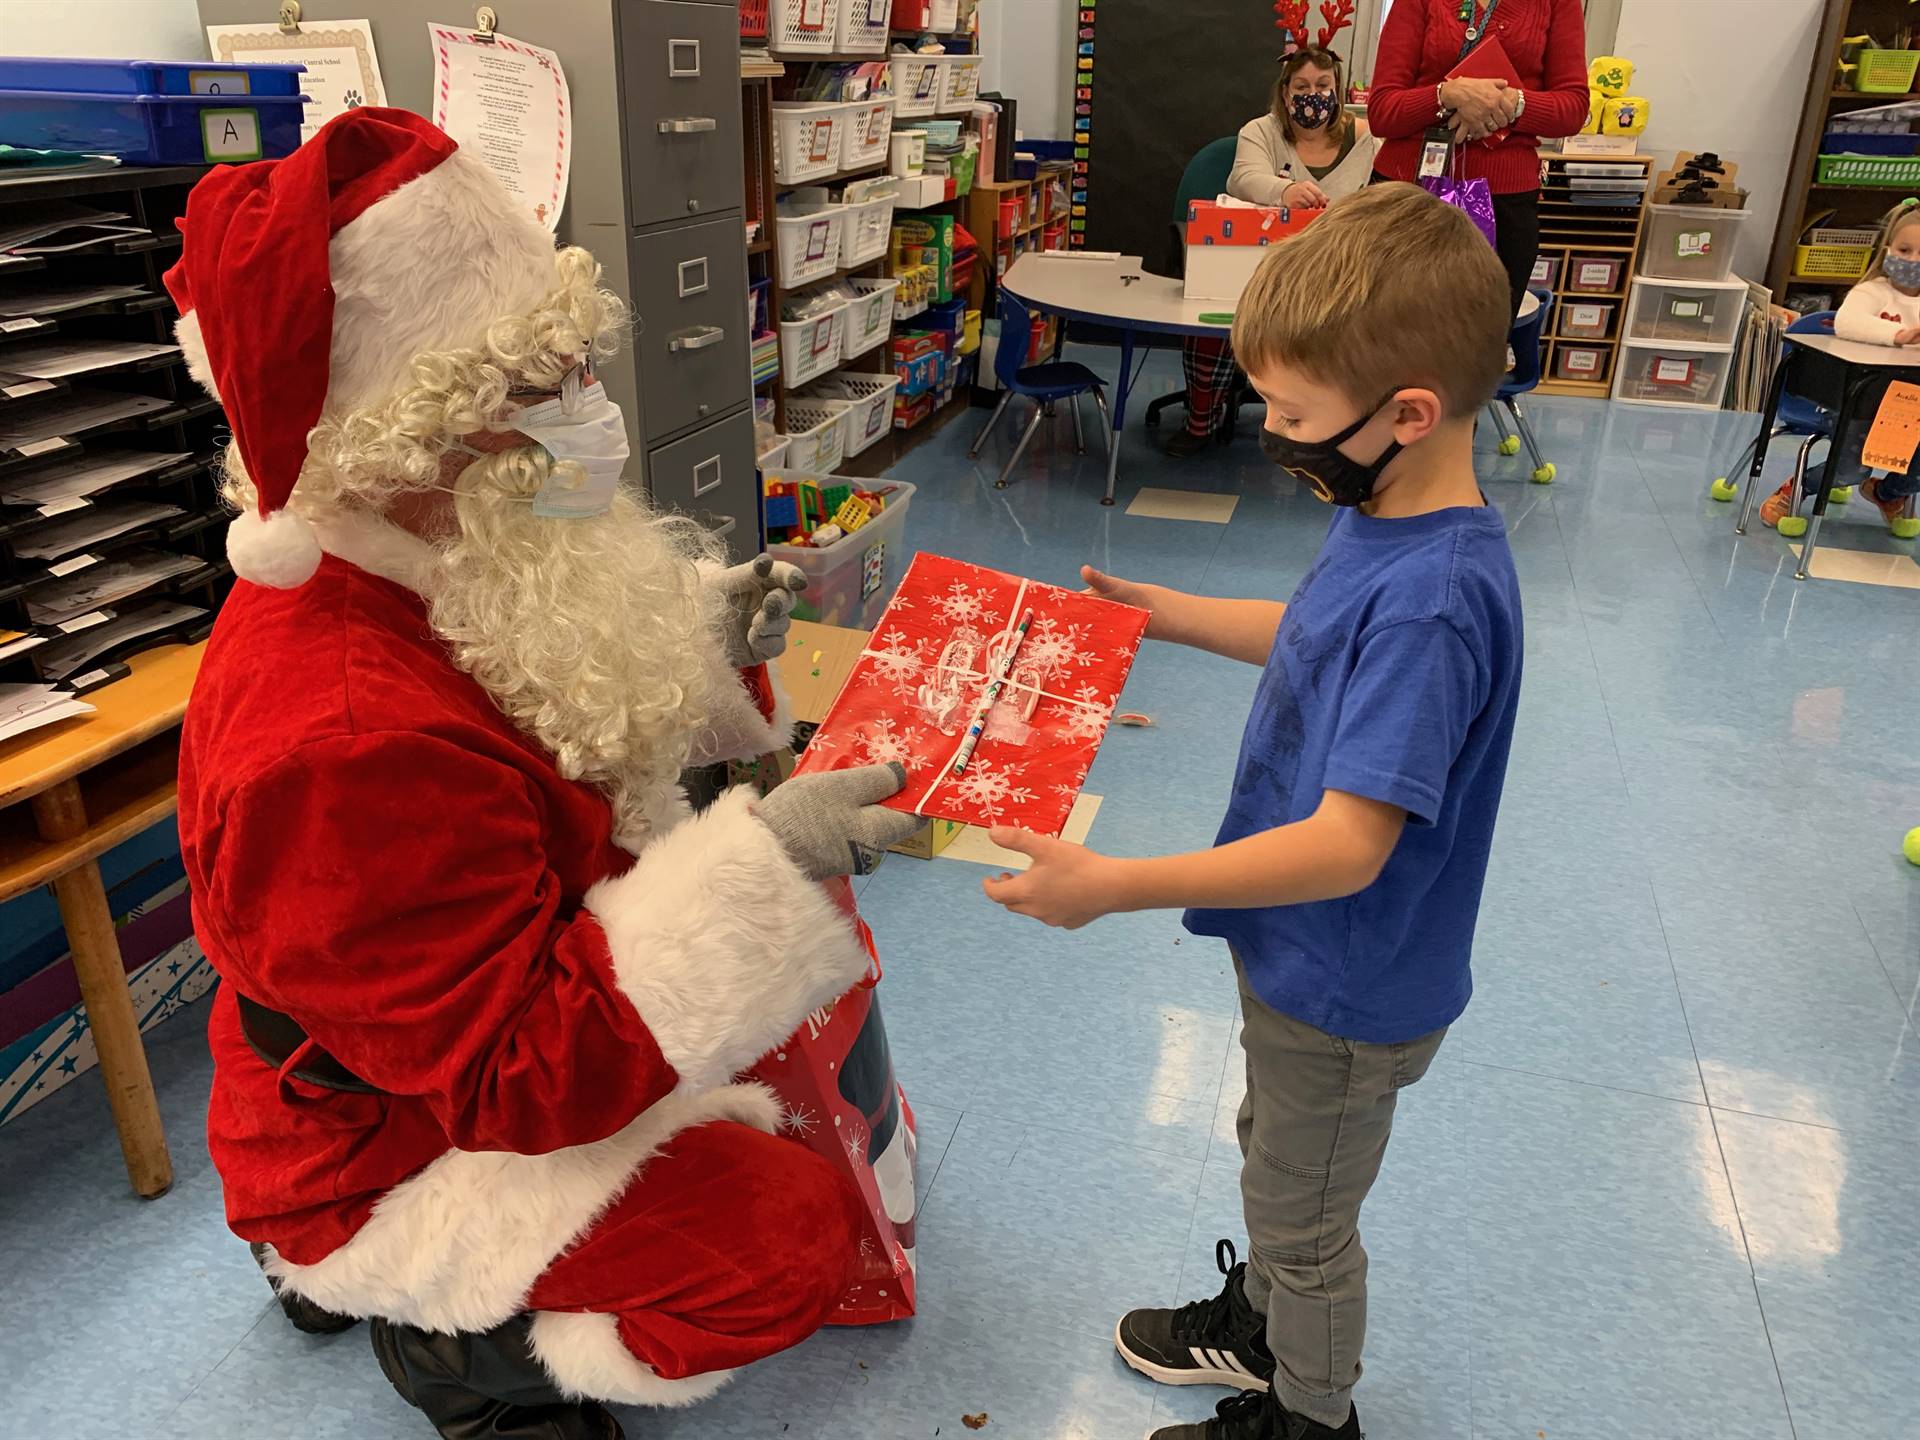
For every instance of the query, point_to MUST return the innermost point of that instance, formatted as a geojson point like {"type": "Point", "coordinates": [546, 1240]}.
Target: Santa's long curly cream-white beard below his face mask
{"type": "Point", "coordinates": [588, 635]}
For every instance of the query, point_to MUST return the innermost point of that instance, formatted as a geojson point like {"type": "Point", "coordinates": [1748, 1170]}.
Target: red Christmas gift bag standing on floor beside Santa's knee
{"type": "Point", "coordinates": [836, 1082]}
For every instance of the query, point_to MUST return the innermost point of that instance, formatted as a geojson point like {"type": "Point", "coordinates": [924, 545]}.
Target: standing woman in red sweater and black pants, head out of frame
{"type": "Point", "coordinates": [1422, 41]}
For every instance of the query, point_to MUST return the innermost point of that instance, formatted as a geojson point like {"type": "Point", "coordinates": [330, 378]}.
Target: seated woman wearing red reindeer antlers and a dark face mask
{"type": "Point", "coordinates": [1305, 153]}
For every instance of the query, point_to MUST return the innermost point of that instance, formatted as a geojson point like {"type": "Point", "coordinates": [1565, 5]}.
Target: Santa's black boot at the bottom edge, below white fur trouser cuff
{"type": "Point", "coordinates": [485, 1387]}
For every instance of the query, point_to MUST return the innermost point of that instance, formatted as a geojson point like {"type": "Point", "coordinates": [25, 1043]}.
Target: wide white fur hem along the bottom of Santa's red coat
{"type": "Point", "coordinates": [460, 1245]}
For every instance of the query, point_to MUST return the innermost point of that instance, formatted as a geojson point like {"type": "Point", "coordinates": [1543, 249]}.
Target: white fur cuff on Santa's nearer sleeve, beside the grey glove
{"type": "Point", "coordinates": [723, 944]}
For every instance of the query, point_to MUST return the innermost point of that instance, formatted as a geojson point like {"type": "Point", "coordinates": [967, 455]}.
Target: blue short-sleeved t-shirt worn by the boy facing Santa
{"type": "Point", "coordinates": [1395, 677]}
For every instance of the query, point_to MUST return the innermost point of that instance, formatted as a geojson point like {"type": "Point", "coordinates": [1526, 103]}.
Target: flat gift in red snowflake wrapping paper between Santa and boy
{"type": "Point", "coordinates": [926, 667]}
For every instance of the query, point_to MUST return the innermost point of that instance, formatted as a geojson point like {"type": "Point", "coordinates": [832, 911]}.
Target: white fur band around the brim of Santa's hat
{"type": "Point", "coordinates": [429, 268]}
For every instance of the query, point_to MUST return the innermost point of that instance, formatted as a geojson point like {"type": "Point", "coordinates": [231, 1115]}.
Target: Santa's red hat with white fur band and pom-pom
{"type": "Point", "coordinates": [310, 285]}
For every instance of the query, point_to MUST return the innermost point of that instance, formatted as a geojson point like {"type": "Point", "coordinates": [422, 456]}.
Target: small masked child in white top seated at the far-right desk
{"type": "Point", "coordinates": [1883, 310]}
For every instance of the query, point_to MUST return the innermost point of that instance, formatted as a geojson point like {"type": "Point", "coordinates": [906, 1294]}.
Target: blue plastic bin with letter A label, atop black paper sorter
{"type": "Point", "coordinates": [155, 130]}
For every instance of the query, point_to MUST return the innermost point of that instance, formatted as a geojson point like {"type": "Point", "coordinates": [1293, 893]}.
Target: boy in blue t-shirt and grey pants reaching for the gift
{"type": "Point", "coordinates": [1349, 871]}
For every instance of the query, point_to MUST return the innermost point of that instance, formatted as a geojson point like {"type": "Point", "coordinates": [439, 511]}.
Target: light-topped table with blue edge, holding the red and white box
{"type": "Point", "coordinates": [1118, 295]}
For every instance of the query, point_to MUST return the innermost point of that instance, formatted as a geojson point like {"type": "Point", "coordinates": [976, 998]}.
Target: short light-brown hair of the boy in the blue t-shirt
{"type": "Point", "coordinates": [1387, 289]}
